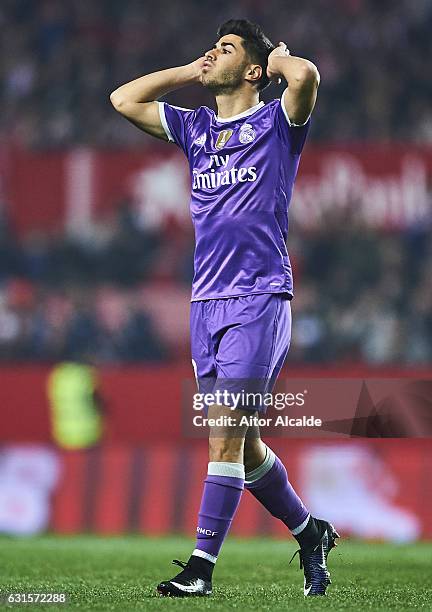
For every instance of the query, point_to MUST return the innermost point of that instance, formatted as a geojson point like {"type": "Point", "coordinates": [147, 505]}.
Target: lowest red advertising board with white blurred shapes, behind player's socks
{"type": "Point", "coordinates": [368, 489]}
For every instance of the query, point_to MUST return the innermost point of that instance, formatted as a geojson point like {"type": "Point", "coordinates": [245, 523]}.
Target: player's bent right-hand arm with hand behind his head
{"type": "Point", "coordinates": [303, 80]}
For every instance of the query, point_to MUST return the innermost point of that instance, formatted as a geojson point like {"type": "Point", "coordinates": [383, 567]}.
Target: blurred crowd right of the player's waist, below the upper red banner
{"type": "Point", "coordinates": [362, 296]}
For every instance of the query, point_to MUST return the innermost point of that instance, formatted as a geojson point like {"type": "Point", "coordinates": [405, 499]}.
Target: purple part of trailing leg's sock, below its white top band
{"type": "Point", "coordinates": [277, 495]}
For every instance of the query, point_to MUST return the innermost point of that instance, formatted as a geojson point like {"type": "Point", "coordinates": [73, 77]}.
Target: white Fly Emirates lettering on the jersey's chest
{"type": "Point", "coordinates": [218, 174]}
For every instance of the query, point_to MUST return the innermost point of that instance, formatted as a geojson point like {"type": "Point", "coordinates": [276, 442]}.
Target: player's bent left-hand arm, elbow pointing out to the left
{"type": "Point", "coordinates": [136, 100]}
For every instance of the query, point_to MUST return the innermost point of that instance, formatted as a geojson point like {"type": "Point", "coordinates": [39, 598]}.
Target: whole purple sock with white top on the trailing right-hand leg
{"type": "Point", "coordinates": [269, 484]}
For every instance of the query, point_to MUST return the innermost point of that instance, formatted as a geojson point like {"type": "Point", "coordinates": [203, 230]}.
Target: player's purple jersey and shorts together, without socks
{"type": "Point", "coordinates": [242, 172]}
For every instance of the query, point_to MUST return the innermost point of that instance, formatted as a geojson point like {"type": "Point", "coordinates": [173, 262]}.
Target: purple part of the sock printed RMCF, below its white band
{"type": "Point", "coordinates": [220, 499]}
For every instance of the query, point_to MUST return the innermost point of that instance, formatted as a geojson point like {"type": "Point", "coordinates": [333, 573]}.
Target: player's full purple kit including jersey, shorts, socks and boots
{"type": "Point", "coordinates": [242, 174]}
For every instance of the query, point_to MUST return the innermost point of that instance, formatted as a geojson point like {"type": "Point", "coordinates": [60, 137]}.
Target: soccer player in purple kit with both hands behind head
{"type": "Point", "coordinates": [243, 162]}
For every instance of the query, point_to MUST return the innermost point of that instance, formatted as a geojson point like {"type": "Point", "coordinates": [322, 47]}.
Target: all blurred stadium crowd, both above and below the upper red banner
{"type": "Point", "coordinates": [361, 296]}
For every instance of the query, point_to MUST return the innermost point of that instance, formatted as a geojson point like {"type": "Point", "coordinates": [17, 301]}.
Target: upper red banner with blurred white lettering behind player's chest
{"type": "Point", "coordinates": [381, 186]}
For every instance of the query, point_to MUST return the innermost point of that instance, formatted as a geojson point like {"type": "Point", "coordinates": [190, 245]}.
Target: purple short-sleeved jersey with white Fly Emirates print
{"type": "Point", "coordinates": [242, 173]}
